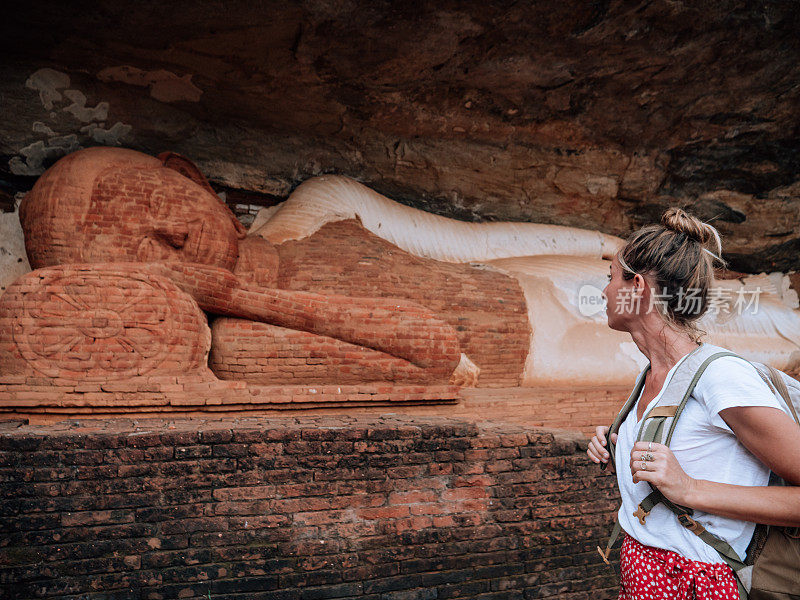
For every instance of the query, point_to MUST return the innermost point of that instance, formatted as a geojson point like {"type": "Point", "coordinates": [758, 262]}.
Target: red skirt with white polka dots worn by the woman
{"type": "Point", "coordinates": [654, 574]}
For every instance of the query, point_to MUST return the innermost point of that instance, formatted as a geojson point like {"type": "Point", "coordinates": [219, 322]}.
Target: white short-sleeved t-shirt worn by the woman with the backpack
{"type": "Point", "coordinates": [706, 448]}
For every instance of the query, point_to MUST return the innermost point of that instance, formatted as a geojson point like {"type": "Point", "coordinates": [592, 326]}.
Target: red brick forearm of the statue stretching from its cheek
{"type": "Point", "coordinates": [396, 327]}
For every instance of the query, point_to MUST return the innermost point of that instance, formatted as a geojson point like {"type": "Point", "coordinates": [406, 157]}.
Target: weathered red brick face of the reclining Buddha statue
{"type": "Point", "coordinates": [157, 215]}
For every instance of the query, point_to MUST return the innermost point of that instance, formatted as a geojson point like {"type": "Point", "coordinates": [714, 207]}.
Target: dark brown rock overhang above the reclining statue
{"type": "Point", "coordinates": [597, 115]}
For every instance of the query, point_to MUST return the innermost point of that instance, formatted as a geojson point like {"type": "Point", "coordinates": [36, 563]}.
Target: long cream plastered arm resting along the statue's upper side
{"type": "Point", "coordinates": [332, 198]}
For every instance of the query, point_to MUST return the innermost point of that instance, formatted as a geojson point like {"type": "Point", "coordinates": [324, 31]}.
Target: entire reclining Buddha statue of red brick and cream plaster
{"type": "Point", "coordinates": [135, 256]}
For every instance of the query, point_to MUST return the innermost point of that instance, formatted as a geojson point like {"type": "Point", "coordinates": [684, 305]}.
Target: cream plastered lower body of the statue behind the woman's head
{"type": "Point", "coordinates": [565, 345]}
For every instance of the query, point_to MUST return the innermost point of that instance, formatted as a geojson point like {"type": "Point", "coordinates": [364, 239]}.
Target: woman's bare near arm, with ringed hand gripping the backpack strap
{"type": "Point", "coordinates": [771, 435]}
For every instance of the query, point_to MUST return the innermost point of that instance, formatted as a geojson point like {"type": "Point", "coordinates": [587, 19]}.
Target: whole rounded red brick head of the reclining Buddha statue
{"type": "Point", "coordinates": [116, 205]}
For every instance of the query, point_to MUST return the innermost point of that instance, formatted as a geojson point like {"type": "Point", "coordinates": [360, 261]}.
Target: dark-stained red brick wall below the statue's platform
{"type": "Point", "coordinates": [370, 508]}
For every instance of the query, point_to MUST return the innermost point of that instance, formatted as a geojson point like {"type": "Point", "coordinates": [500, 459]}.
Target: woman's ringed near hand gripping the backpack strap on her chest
{"type": "Point", "coordinates": [657, 465]}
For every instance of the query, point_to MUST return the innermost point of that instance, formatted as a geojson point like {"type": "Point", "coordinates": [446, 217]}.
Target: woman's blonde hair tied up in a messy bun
{"type": "Point", "coordinates": [679, 255]}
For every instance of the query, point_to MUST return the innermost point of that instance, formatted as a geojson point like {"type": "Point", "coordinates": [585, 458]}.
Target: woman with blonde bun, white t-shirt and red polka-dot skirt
{"type": "Point", "coordinates": [727, 440]}
